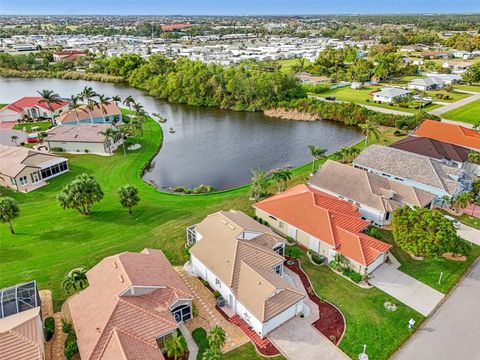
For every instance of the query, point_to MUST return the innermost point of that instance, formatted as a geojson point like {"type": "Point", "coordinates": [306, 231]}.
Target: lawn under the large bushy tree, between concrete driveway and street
{"type": "Point", "coordinates": [428, 270]}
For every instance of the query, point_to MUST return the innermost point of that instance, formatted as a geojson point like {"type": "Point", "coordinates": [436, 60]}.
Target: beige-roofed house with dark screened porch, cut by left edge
{"type": "Point", "coordinates": [23, 169]}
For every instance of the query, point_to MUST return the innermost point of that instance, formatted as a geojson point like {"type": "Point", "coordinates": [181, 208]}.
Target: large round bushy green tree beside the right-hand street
{"type": "Point", "coordinates": [425, 232]}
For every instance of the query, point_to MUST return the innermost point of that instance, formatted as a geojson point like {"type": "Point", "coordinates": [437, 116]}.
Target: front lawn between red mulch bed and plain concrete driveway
{"type": "Point", "coordinates": [368, 322]}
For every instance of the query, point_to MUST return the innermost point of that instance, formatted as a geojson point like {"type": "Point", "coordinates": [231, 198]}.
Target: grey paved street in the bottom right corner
{"type": "Point", "coordinates": [452, 333]}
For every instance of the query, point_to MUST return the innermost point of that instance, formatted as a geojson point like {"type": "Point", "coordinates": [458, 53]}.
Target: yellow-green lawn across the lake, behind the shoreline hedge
{"type": "Point", "coordinates": [361, 97]}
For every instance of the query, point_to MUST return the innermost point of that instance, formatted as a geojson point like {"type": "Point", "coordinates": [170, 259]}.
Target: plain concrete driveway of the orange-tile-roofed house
{"type": "Point", "coordinates": [406, 289]}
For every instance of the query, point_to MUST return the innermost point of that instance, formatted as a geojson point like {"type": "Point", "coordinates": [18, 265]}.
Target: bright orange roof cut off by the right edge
{"type": "Point", "coordinates": [450, 133]}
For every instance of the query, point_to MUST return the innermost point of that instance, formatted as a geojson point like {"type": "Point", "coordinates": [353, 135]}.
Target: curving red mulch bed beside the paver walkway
{"type": "Point", "coordinates": [330, 323]}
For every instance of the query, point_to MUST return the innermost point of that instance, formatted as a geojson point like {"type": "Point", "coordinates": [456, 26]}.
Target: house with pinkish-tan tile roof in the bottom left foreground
{"type": "Point", "coordinates": [133, 304]}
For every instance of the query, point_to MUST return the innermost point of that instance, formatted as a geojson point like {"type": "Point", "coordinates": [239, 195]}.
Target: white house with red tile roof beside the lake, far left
{"type": "Point", "coordinates": [31, 107]}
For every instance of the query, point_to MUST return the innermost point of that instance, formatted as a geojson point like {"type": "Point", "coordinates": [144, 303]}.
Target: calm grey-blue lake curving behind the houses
{"type": "Point", "coordinates": [210, 146]}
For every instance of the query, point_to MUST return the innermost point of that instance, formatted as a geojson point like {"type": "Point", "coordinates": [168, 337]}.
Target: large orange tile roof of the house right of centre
{"type": "Point", "coordinates": [333, 221]}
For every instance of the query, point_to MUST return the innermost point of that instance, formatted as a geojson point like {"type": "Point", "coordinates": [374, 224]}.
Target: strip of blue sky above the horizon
{"type": "Point", "coordinates": [229, 7]}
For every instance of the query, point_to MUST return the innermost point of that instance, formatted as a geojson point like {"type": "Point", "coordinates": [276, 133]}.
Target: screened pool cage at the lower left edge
{"type": "Point", "coordinates": [18, 298]}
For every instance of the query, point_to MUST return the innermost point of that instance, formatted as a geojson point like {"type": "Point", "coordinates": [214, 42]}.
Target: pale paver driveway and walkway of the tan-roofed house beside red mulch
{"type": "Point", "coordinates": [297, 339]}
